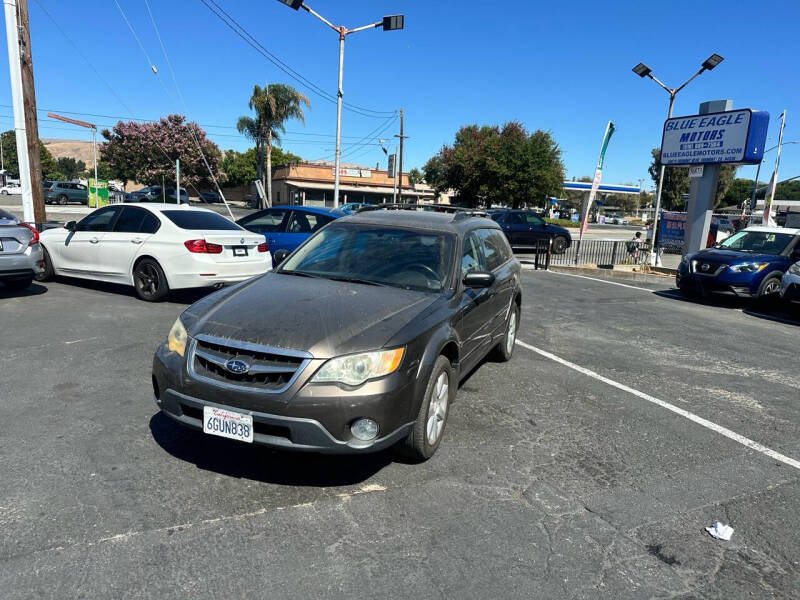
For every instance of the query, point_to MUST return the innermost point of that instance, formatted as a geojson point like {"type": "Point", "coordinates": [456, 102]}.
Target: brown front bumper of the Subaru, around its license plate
{"type": "Point", "coordinates": [307, 418]}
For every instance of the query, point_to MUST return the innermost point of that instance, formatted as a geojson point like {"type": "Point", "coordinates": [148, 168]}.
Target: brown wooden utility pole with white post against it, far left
{"type": "Point", "coordinates": [20, 66]}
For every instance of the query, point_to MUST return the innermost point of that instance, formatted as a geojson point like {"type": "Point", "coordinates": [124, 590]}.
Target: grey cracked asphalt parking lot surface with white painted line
{"type": "Point", "coordinates": [565, 473]}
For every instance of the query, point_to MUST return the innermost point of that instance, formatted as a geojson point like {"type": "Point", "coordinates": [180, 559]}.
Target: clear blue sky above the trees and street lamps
{"type": "Point", "coordinates": [559, 66]}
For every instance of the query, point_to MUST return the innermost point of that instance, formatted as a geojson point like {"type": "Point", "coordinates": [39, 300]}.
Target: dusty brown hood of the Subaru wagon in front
{"type": "Point", "coordinates": [324, 317]}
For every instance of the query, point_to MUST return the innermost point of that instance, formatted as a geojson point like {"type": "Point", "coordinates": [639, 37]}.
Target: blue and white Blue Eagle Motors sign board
{"type": "Point", "coordinates": [734, 136]}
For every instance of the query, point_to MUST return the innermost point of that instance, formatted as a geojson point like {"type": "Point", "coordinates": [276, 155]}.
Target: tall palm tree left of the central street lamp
{"type": "Point", "coordinates": [273, 105]}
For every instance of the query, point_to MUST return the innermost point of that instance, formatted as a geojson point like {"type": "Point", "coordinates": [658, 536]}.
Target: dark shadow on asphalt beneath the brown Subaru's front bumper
{"type": "Point", "coordinates": [251, 461]}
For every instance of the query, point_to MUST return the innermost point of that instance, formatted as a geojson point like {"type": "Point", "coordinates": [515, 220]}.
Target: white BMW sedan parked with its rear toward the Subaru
{"type": "Point", "coordinates": [155, 248]}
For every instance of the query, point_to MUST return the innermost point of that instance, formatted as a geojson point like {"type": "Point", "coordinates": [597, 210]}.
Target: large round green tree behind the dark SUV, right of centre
{"type": "Point", "coordinates": [488, 165]}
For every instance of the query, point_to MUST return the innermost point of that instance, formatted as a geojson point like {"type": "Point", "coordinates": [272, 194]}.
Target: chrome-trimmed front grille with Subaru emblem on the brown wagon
{"type": "Point", "coordinates": [261, 368]}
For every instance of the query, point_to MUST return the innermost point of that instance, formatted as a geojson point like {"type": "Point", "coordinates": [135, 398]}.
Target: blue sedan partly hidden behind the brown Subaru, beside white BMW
{"type": "Point", "coordinates": [286, 227]}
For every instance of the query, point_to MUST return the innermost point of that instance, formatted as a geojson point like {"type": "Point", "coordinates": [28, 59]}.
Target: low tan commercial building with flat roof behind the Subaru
{"type": "Point", "coordinates": [311, 184]}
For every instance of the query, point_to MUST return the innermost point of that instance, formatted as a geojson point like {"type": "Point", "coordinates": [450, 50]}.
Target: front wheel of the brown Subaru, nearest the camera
{"type": "Point", "coordinates": [429, 426]}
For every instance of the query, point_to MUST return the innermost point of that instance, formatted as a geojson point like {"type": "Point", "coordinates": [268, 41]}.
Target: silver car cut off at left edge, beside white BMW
{"type": "Point", "coordinates": [20, 252]}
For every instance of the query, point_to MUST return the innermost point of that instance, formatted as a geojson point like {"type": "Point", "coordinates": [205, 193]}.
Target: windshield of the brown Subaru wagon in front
{"type": "Point", "coordinates": [404, 258]}
